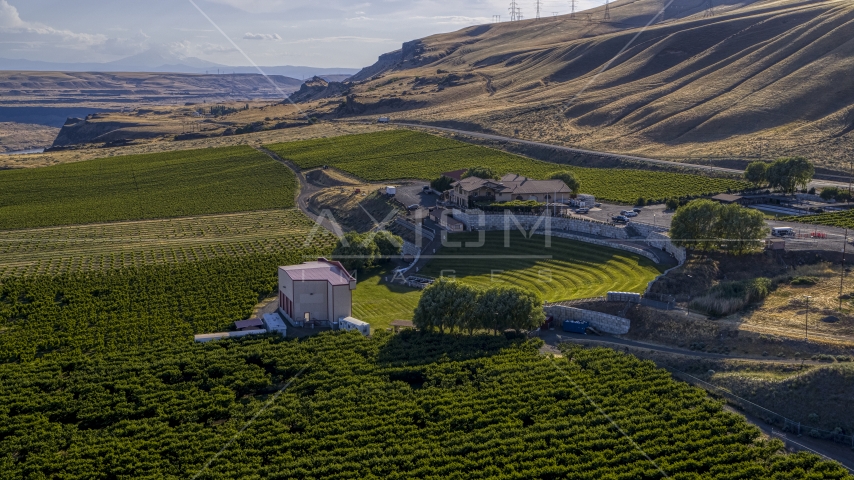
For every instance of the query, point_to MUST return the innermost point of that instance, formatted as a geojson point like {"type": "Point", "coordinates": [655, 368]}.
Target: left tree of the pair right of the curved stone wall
{"type": "Point", "coordinates": [695, 224]}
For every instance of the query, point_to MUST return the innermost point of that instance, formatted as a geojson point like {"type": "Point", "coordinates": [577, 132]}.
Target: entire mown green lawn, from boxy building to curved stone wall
{"type": "Point", "coordinates": [565, 271]}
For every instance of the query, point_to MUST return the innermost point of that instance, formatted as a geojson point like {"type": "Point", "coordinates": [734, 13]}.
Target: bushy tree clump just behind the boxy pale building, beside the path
{"type": "Point", "coordinates": [357, 251]}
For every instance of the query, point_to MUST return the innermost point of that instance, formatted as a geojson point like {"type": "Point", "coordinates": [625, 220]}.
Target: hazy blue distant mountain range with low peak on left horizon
{"type": "Point", "coordinates": [153, 61]}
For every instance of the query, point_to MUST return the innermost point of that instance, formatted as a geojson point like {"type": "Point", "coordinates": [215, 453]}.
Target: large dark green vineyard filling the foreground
{"type": "Point", "coordinates": [396, 407]}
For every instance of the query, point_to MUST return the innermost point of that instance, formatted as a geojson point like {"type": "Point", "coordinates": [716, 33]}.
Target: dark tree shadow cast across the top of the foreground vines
{"type": "Point", "coordinates": [419, 348]}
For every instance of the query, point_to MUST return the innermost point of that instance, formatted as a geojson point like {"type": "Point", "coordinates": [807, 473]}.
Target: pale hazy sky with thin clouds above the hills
{"type": "Point", "coordinates": [319, 33]}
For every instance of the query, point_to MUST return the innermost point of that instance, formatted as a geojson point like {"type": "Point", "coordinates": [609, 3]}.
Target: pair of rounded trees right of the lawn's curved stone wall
{"type": "Point", "coordinates": [707, 225]}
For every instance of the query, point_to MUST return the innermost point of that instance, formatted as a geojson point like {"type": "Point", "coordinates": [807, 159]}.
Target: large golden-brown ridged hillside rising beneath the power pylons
{"type": "Point", "coordinates": [774, 75]}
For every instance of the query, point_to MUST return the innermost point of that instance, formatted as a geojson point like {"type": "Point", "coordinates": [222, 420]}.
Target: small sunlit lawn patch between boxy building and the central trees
{"type": "Point", "coordinates": [379, 303]}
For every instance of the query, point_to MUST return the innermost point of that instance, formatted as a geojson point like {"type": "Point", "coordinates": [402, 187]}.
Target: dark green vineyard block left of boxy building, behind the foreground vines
{"type": "Point", "coordinates": [107, 311]}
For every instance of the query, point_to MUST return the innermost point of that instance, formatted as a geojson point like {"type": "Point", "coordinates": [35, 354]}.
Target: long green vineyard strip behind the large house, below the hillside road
{"type": "Point", "coordinates": [399, 154]}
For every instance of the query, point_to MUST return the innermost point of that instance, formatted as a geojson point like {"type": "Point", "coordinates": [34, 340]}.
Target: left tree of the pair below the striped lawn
{"type": "Point", "coordinates": [445, 304]}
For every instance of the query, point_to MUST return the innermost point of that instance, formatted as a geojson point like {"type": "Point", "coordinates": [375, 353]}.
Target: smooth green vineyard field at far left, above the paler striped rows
{"type": "Point", "coordinates": [159, 185]}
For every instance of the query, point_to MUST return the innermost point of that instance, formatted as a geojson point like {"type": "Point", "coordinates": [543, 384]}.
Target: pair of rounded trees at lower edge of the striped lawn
{"type": "Point", "coordinates": [449, 305]}
